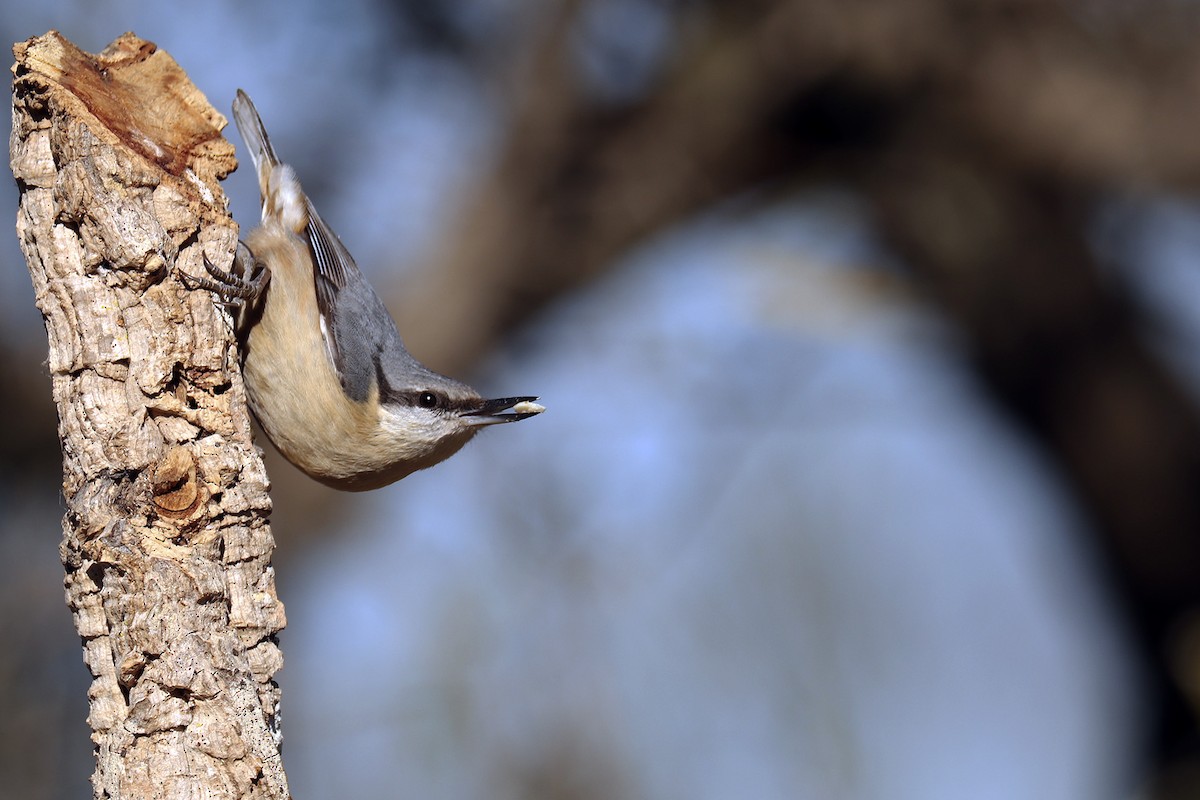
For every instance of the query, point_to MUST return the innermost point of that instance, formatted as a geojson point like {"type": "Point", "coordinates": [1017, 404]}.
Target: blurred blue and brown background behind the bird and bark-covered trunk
{"type": "Point", "coordinates": [869, 339]}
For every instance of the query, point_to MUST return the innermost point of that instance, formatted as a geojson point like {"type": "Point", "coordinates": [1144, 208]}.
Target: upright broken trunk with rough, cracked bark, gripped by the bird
{"type": "Point", "coordinates": [166, 542]}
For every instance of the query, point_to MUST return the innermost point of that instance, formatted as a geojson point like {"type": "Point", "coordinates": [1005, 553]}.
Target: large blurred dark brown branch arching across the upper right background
{"type": "Point", "coordinates": [982, 135]}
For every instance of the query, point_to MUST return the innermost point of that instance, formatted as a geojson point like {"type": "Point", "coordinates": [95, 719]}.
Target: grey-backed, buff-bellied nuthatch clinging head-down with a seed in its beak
{"type": "Point", "coordinates": [327, 374]}
